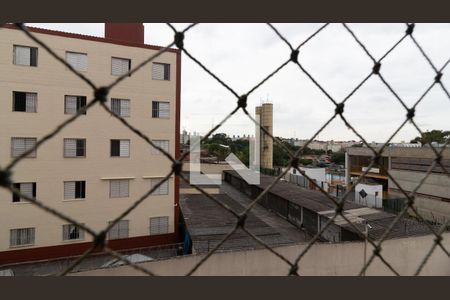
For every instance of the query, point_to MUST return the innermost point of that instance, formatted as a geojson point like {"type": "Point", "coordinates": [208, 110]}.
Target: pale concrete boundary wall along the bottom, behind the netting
{"type": "Point", "coordinates": [405, 255]}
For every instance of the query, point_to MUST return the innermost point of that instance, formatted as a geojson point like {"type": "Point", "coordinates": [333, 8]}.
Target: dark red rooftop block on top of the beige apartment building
{"type": "Point", "coordinates": [125, 32]}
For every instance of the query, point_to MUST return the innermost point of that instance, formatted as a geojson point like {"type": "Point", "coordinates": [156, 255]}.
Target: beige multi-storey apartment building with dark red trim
{"type": "Point", "coordinates": [95, 168]}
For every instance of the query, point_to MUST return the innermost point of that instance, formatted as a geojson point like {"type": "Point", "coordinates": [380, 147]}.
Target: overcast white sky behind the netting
{"type": "Point", "coordinates": [243, 54]}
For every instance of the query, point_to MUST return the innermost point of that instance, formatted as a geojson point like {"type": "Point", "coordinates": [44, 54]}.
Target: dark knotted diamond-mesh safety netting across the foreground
{"type": "Point", "coordinates": [100, 95]}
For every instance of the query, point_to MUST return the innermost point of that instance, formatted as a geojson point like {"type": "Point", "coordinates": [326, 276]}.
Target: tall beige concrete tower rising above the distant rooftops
{"type": "Point", "coordinates": [265, 114]}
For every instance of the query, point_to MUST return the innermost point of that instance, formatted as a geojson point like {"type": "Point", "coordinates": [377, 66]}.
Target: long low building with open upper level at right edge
{"type": "Point", "coordinates": [408, 166]}
